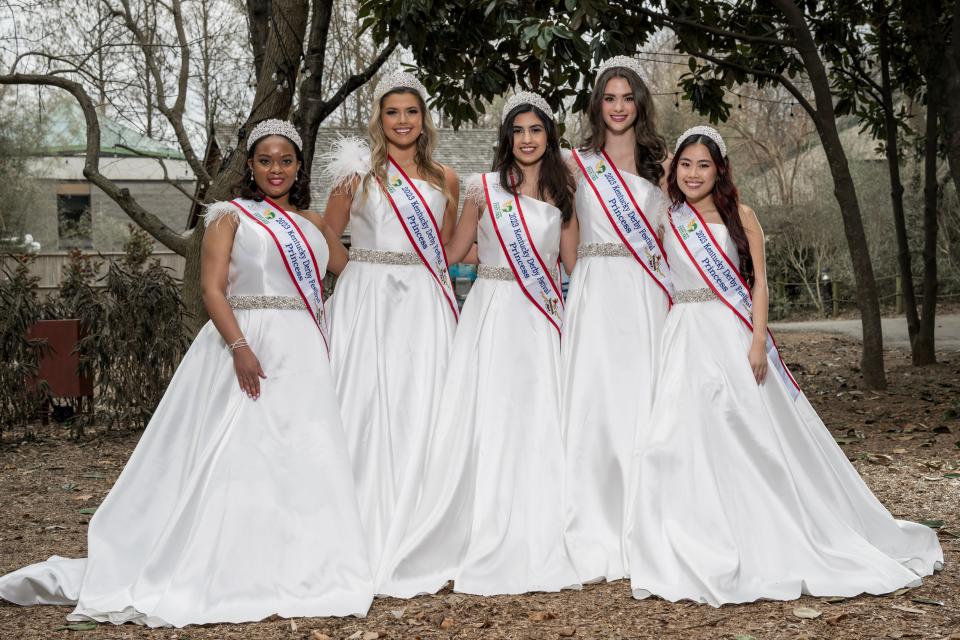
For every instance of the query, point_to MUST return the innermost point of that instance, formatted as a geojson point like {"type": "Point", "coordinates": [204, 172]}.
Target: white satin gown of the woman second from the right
{"type": "Point", "coordinates": [611, 347]}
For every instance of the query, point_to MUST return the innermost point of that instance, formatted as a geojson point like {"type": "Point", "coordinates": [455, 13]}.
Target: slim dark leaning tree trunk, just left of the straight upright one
{"type": "Point", "coordinates": [896, 184]}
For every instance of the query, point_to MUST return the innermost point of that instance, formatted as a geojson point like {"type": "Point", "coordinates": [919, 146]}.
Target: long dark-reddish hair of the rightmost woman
{"type": "Point", "coordinates": [725, 197]}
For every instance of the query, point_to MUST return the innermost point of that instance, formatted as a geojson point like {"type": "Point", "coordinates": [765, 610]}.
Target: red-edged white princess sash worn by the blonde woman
{"type": "Point", "coordinates": [421, 228]}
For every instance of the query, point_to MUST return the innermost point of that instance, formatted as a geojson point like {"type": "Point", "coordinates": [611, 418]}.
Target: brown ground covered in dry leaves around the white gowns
{"type": "Point", "coordinates": [904, 441]}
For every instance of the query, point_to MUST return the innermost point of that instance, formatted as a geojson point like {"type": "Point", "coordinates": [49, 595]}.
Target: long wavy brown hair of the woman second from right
{"type": "Point", "coordinates": [651, 149]}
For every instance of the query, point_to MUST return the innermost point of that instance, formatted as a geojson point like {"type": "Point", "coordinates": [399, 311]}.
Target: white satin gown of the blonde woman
{"type": "Point", "coordinates": [391, 332]}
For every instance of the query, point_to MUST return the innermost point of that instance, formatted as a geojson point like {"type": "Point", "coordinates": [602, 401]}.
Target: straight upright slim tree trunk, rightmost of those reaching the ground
{"type": "Point", "coordinates": [923, 345]}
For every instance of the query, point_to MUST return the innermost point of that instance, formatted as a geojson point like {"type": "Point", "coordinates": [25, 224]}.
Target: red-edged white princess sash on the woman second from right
{"type": "Point", "coordinates": [626, 216]}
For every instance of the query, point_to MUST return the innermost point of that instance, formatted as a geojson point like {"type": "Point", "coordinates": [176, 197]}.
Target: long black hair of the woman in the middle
{"type": "Point", "coordinates": [555, 179]}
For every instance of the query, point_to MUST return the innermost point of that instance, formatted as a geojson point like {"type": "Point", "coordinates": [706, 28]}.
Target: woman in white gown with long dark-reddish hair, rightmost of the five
{"type": "Point", "coordinates": [741, 492]}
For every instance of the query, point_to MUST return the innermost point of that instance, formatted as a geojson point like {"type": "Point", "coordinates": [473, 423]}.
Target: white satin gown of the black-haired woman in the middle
{"type": "Point", "coordinates": [484, 507]}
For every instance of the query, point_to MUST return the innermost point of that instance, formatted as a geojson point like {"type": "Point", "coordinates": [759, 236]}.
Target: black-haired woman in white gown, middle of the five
{"type": "Point", "coordinates": [483, 506]}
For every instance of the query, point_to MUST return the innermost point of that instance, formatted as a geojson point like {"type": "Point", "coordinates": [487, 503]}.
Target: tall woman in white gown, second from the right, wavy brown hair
{"type": "Point", "coordinates": [616, 307]}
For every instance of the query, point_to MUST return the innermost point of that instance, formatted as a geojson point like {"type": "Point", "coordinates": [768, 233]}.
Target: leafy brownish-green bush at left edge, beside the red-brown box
{"type": "Point", "coordinates": [20, 309]}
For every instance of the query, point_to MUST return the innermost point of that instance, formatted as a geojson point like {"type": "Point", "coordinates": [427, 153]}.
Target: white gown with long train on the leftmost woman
{"type": "Point", "coordinates": [230, 509]}
